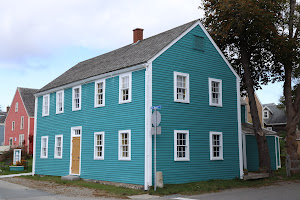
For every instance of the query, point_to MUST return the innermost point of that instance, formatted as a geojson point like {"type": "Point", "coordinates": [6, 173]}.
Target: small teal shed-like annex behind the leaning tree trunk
{"type": "Point", "coordinates": [250, 151]}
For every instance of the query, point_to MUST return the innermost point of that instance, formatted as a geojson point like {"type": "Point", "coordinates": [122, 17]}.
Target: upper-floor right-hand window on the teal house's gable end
{"type": "Point", "coordinates": [215, 92]}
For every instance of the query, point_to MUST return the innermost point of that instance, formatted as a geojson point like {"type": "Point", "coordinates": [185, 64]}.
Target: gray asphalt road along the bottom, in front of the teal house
{"type": "Point", "coordinates": [289, 191]}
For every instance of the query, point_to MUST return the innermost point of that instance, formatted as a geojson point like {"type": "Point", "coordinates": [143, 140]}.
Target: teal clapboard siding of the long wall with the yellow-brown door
{"type": "Point", "coordinates": [110, 119]}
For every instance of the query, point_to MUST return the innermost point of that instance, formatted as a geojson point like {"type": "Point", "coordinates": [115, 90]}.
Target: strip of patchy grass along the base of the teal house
{"type": "Point", "coordinates": [185, 189]}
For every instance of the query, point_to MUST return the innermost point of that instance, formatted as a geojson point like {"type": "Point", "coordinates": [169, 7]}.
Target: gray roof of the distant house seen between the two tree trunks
{"type": "Point", "coordinates": [277, 117]}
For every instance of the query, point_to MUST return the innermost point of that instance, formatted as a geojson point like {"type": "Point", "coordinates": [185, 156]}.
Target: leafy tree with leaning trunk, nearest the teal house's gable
{"type": "Point", "coordinates": [244, 30]}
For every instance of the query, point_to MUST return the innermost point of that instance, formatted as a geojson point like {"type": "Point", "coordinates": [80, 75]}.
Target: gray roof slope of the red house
{"type": "Point", "coordinates": [27, 95]}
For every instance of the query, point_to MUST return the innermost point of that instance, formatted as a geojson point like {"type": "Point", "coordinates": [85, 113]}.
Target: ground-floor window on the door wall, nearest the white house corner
{"type": "Point", "coordinates": [125, 145]}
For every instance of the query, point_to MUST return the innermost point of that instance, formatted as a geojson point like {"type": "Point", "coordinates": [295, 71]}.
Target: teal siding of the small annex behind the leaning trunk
{"type": "Point", "coordinates": [252, 152]}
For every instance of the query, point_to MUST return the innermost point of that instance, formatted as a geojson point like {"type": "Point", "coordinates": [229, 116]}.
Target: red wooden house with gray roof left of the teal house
{"type": "Point", "coordinates": [19, 124]}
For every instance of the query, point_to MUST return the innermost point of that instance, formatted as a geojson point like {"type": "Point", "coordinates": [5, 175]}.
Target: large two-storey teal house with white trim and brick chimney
{"type": "Point", "coordinates": [94, 120]}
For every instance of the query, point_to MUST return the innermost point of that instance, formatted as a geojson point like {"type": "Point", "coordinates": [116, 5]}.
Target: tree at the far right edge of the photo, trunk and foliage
{"type": "Point", "coordinates": [287, 52]}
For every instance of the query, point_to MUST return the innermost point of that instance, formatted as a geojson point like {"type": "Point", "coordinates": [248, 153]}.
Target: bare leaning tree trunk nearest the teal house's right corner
{"type": "Point", "coordinates": [261, 140]}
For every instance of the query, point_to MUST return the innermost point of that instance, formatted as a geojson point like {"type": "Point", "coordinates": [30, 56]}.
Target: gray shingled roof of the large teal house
{"type": "Point", "coordinates": [130, 55]}
